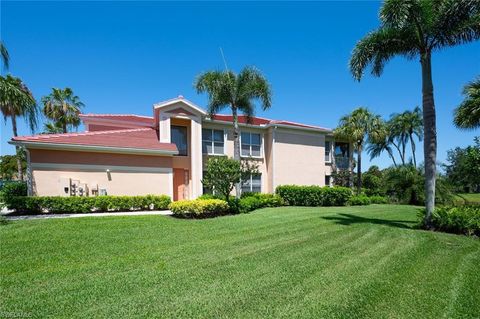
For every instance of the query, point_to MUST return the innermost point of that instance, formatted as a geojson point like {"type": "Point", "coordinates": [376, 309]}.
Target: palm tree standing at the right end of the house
{"type": "Point", "coordinates": [355, 128]}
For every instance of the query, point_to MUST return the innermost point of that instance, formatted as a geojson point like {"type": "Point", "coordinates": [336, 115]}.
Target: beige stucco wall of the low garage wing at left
{"type": "Point", "coordinates": [127, 174]}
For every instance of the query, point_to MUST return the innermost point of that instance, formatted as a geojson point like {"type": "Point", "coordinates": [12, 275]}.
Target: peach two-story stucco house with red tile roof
{"type": "Point", "coordinates": [122, 154]}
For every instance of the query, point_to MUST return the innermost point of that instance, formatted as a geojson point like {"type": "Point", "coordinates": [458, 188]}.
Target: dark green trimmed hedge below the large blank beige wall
{"type": "Point", "coordinates": [294, 195]}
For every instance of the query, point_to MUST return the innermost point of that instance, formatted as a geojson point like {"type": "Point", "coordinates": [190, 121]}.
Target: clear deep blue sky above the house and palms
{"type": "Point", "coordinates": [121, 57]}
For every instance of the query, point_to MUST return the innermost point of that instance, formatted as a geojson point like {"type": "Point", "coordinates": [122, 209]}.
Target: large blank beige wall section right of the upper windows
{"type": "Point", "coordinates": [299, 158]}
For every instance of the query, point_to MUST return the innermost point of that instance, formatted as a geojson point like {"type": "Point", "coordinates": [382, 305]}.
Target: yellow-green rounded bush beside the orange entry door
{"type": "Point", "coordinates": [199, 208]}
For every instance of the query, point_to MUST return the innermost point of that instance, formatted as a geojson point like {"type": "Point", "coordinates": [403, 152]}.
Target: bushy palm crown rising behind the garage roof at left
{"type": "Point", "coordinates": [63, 108]}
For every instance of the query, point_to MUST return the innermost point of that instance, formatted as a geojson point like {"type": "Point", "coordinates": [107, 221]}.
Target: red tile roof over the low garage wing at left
{"type": "Point", "coordinates": [141, 139]}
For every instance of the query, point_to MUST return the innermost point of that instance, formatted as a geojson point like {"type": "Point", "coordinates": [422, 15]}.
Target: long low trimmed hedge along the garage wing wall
{"type": "Point", "coordinates": [63, 205]}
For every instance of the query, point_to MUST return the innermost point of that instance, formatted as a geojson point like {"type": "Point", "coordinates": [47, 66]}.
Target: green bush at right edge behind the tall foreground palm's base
{"type": "Point", "coordinates": [458, 220]}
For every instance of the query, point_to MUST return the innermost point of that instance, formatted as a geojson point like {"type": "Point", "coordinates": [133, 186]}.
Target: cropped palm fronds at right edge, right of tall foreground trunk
{"type": "Point", "coordinates": [467, 115]}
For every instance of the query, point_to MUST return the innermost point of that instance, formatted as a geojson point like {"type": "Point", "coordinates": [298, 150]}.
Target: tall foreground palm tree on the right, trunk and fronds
{"type": "Point", "coordinates": [416, 28]}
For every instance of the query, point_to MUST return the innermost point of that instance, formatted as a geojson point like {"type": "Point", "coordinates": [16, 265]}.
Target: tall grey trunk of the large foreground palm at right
{"type": "Point", "coordinates": [430, 142]}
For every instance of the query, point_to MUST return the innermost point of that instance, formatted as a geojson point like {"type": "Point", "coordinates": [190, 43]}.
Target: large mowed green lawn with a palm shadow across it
{"type": "Point", "coordinates": [346, 262]}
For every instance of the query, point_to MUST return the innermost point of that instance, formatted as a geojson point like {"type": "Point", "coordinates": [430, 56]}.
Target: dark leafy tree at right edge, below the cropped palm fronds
{"type": "Point", "coordinates": [463, 170]}
